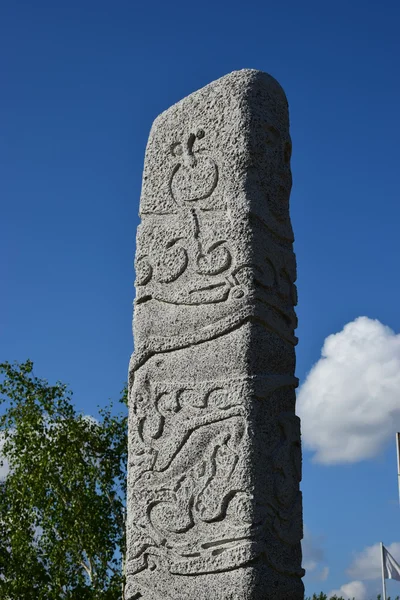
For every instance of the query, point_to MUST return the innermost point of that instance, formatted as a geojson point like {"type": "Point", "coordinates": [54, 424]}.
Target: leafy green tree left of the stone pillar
{"type": "Point", "coordinates": [62, 503]}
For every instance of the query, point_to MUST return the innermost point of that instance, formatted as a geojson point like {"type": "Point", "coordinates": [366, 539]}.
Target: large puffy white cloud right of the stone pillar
{"type": "Point", "coordinates": [349, 402]}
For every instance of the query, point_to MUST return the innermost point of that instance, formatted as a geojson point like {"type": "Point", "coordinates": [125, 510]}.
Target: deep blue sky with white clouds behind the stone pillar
{"type": "Point", "coordinates": [81, 83]}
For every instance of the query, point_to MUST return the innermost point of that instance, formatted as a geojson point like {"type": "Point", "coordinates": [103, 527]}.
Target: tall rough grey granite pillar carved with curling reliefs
{"type": "Point", "coordinates": [214, 507]}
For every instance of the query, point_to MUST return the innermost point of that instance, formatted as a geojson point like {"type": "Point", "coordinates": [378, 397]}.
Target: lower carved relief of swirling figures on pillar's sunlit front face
{"type": "Point", "coordinates": [187, 475]}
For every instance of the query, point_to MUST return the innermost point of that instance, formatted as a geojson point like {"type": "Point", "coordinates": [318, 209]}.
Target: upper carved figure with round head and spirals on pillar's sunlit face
{"type": "Point", "coordinates": [190, 244]}
